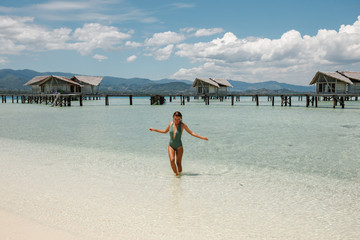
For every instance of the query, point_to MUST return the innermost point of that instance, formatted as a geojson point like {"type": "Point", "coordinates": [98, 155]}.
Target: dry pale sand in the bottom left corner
{"type": "Point", "coordinates": [15, 227]}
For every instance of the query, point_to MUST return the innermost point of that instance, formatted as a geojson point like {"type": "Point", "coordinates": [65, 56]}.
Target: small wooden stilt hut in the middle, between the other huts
{"type": "Point", "coordinates": [211, 87]}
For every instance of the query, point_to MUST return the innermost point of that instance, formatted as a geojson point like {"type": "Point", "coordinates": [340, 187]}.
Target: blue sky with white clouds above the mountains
{"type": "Point", "coordinates": [251, 41]}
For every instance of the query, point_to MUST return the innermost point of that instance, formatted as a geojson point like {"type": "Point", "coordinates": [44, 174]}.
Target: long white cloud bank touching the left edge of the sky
{"type": "Point", "coordinates": [19, 34]}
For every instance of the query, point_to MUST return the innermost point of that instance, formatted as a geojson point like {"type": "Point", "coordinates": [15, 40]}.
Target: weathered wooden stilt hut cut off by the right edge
{"type": "Point", "coordinates": [337, 82]}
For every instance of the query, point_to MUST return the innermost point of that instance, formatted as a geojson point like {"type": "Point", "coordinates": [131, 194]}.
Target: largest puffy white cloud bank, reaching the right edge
{"type": "Point", "coordinates": [289, 57]}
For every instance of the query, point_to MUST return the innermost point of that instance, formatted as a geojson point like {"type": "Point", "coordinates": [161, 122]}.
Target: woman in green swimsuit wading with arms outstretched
{"type": "Point", "coordinates": [175, 145]}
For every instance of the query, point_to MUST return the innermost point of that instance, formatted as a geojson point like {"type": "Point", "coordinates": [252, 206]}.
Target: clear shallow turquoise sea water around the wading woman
{"type": "Point", "coordinates": [265, 173]}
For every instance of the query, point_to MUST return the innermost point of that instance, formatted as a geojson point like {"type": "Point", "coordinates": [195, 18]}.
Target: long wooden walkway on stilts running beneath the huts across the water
{"type": "Point", "coordinates": [64, 100]}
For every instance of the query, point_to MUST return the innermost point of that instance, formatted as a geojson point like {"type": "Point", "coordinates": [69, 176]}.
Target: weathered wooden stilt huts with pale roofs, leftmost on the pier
{"type": "Point", "coordinates": [77, 84]}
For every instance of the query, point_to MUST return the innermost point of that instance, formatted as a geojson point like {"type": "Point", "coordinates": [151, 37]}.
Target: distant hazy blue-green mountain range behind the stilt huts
{"type": "Point", "coordinates": [14, 80]}
